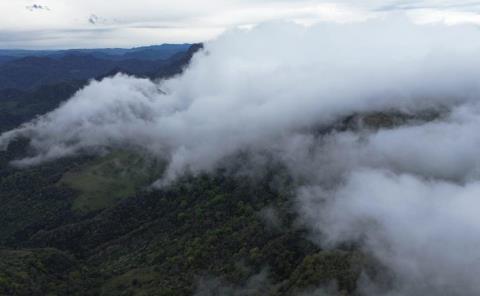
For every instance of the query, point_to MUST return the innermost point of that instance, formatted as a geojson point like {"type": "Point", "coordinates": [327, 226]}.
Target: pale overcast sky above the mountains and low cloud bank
{"type": "Point", "coordinates": [52, 24]}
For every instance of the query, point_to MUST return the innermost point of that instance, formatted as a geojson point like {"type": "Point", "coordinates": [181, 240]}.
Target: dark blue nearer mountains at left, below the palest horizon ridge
{"type": "Point", "coordinates": [32, 86]}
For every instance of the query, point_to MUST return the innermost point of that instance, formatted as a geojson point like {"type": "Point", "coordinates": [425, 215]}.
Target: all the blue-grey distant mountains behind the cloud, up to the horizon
{"type": "Point", "coordinates": [35, 84]}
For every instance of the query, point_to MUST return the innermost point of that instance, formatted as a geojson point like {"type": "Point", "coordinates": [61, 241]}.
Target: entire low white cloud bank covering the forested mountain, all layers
{"type": "Point", "coordinates": [407, 194]}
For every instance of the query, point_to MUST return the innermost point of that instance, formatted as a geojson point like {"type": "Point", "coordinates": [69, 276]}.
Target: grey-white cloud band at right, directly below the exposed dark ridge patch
{"type": "Point", "coordinates": [443, 149]}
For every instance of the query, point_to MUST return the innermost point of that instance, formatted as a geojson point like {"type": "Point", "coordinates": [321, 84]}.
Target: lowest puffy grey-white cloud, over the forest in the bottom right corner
{"type": "Point", "coordinates": [425, 231]}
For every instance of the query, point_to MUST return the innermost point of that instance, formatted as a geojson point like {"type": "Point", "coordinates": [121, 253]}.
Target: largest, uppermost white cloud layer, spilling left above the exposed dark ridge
{"type": "Point", "coordinates": [305, 76]}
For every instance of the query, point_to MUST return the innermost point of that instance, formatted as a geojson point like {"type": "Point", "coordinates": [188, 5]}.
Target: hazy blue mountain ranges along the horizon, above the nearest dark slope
{"type": "Point", "coordinates": [28, 70]}
